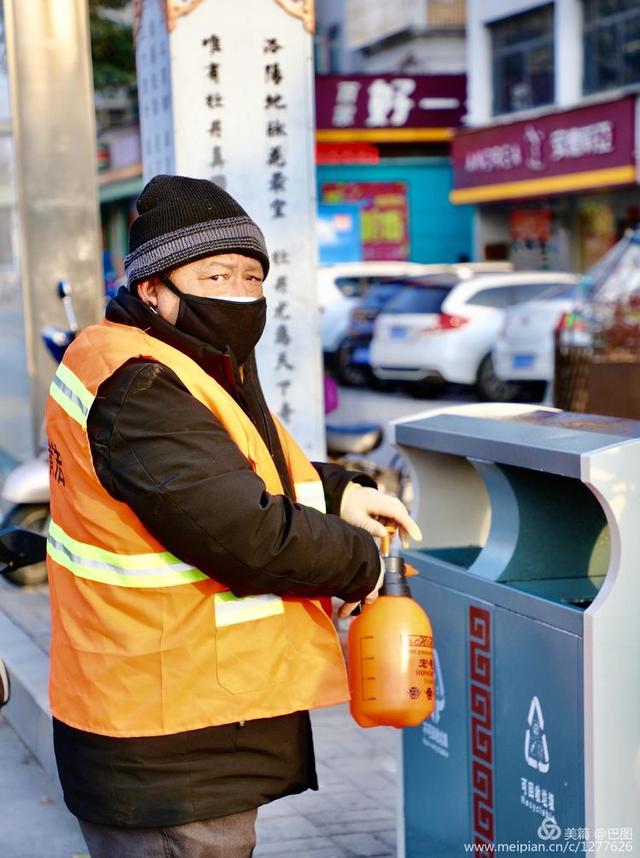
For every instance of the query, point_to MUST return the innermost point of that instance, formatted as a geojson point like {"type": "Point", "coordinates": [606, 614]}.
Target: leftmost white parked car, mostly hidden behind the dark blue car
{"type": "Point", "coordinates": [340, 287]}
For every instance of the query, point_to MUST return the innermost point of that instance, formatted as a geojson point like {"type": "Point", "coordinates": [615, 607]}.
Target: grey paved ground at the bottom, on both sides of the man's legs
{"type": "Point", "coordinates": [352, 816]}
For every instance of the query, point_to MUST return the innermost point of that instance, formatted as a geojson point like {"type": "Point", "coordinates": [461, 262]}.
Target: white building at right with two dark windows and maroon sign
{"type": "Point", "coordinates": [549, 155]}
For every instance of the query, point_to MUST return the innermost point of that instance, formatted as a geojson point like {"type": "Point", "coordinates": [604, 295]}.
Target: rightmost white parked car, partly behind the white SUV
{"type": "Point", "coordinates": [525, 348]}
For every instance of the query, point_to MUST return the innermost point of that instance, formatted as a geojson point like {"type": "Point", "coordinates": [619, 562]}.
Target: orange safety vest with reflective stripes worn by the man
{"type": "Point", "coordinates": [142, 643]}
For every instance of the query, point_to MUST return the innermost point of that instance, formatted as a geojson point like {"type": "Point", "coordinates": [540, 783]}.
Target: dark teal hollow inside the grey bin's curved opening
{"type": "Point", "coordinates": [547, 536]}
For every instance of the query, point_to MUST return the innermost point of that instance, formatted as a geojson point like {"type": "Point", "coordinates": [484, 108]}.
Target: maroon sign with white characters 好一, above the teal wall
{"type": "Point", "coordinates": [377, 107]}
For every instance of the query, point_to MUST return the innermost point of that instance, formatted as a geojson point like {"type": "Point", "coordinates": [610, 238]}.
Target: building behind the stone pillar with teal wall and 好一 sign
{"type": "Point", "coordinates": [390, 90]}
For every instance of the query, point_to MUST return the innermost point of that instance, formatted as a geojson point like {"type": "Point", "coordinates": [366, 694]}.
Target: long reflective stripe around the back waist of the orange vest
{"type": "Point", "coordinates": [121, 570]}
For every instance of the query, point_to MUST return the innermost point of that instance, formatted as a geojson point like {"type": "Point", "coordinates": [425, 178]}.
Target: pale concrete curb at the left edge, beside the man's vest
{"type": "Point", "coordinates": [28, 710]}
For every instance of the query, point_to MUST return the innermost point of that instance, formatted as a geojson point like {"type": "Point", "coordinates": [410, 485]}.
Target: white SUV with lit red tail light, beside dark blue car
{"type": "Point", "coordinates": [445, 327]}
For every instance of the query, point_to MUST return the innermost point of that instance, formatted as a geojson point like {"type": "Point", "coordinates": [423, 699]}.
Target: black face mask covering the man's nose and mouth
{"type": "Point", "coordinates": [221, 322]}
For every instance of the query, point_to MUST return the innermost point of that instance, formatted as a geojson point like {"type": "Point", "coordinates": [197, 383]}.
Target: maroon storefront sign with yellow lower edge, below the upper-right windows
{"type": "Point", "coordinates": [589, 147]}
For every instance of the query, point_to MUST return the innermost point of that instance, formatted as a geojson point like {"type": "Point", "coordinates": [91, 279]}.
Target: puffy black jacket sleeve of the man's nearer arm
{"type": "Point", "coordinates": [159, 450]}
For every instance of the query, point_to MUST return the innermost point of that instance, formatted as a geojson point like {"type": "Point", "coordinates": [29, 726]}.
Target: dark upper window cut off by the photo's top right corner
{"type": "Point", "coordinates": [611, 44]}
